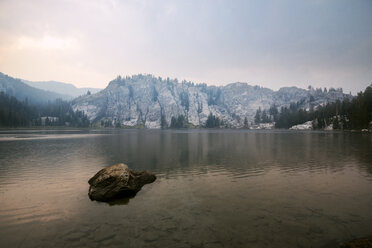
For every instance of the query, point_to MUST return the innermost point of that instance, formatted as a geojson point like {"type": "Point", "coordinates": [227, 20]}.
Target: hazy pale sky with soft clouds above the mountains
{"type": "Point", "coordinates": [273, 44]}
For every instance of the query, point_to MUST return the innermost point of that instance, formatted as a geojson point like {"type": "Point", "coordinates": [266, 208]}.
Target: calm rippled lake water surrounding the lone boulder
{"type": "Point", "coordinates": [218, 188]}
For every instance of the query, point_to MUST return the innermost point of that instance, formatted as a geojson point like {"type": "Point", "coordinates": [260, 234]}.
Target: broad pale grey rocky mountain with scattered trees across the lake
{"type": "Point", "coordinates": [144, 100]}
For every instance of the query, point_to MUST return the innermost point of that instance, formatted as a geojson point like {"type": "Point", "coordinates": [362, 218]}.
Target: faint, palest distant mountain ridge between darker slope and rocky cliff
{"type": "Point", "coordinates": [68, 90]}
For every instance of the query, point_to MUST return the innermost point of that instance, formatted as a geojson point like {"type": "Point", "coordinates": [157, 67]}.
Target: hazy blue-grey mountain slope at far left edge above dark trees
{"type": "Point", "coordinates": [21, 91]}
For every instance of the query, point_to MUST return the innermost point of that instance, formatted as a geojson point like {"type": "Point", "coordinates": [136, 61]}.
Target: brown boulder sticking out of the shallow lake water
{"type": "Point", "coordinates": [117, 181]}
